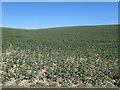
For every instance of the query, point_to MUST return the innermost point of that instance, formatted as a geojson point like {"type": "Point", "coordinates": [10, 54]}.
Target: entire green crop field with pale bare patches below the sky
{"type": "Point", "coordinates": [85, 56]}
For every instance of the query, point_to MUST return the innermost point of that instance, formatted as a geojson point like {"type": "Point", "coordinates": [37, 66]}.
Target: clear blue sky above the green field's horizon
{"type": "Point", "coordinates": [58, 14]}
